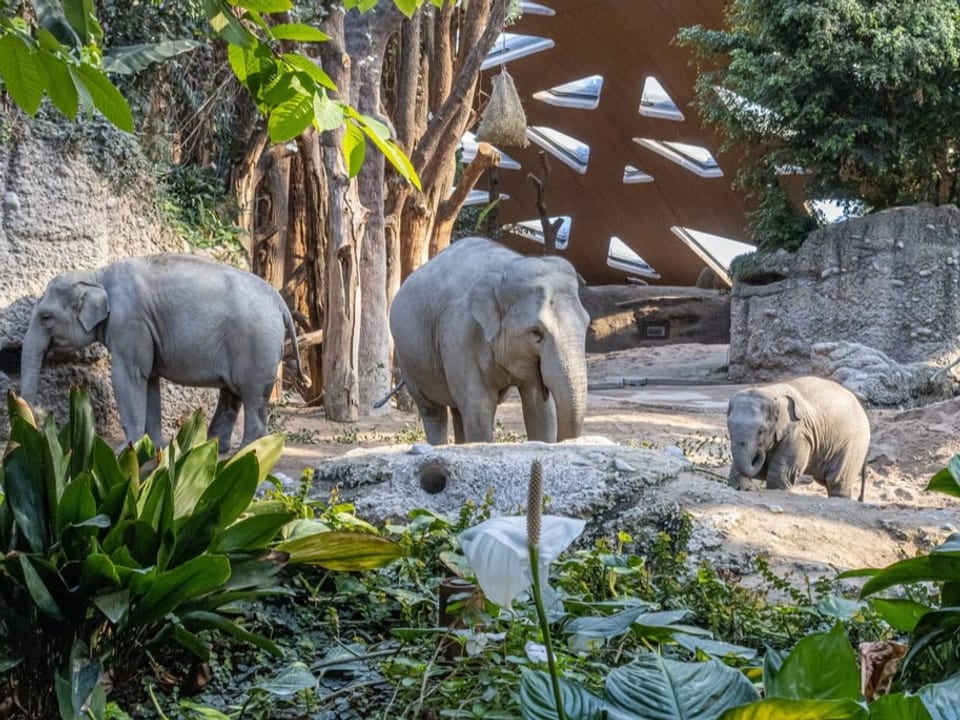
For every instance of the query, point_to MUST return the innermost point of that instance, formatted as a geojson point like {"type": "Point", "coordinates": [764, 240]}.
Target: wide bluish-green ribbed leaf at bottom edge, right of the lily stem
{"type": "Point", "coordinates": [654, 687]}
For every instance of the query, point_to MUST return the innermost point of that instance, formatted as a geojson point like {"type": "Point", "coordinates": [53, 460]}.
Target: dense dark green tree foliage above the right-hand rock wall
{"type": "Point", "coordinates": [859, 95]}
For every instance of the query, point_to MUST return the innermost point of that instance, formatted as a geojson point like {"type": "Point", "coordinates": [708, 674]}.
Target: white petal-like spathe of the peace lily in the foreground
{"type": "Point", "coordinates": [497, 551]}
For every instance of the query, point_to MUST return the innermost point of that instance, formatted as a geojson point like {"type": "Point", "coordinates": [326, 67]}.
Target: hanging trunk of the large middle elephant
{"type": "Point", "coordinates": [564, 370]}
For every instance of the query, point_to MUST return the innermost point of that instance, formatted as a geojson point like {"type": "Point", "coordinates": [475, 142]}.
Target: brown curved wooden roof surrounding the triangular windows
{"type": "Point", "coordinates": [624, 42]}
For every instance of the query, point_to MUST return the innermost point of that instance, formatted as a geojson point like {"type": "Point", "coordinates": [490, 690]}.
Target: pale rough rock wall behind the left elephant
{"type": "Point", "coordinates": [62, 209]}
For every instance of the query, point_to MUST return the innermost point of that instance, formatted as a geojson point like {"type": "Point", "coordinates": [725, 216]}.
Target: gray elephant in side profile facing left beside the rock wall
{"type": "Point", "coordinates": [180, 317]}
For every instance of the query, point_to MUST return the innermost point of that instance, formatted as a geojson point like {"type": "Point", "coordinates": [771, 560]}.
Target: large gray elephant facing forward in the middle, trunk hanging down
{"type": "Point", "coordinates": [479, 319]}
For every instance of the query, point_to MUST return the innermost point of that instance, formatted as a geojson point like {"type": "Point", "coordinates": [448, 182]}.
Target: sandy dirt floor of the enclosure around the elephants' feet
{"type": "Point", "coordinates": [676, 395]}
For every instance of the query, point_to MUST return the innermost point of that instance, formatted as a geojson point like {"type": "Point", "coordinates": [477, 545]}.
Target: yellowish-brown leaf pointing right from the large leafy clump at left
{"type": "Point", "coordinates": [341, 551]}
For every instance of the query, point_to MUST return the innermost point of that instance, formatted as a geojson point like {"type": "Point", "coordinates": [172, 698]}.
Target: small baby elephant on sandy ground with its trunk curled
{"type": "Point", "coordinates": [806, 426]}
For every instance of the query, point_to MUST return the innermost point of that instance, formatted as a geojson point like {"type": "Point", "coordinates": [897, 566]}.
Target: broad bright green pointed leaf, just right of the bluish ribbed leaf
{"type": "Point", "coordinates": [806, 674]}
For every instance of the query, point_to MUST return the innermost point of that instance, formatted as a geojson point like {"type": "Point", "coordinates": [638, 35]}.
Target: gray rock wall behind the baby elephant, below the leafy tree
{"type": "Point", "coordinates": [889, 281]}
